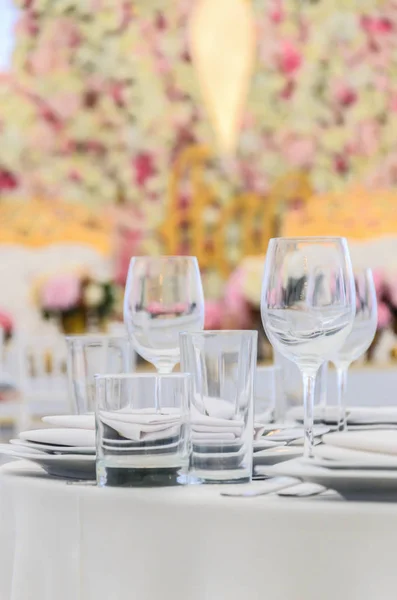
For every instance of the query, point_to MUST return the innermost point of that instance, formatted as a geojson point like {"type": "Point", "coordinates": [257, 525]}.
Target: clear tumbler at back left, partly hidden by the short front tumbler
{"type": "Point", "coordinates": [89, 355]}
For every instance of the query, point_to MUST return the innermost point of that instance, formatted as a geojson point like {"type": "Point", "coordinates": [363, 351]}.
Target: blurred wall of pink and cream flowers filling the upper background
{"type": "Point", "coordinates": [102, 97]}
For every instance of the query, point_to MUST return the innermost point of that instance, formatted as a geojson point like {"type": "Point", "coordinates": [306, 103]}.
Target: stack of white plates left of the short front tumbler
{"type": "Point", "coordinates": [65, 449]}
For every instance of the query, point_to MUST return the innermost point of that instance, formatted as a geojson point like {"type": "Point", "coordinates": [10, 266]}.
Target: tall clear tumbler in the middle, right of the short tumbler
{"type": "Point", "coordinates": [222, 365]}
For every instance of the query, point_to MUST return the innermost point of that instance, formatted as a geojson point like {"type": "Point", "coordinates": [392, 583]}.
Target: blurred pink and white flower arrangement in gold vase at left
{"type": "Point", "coordinates": [76, 301]}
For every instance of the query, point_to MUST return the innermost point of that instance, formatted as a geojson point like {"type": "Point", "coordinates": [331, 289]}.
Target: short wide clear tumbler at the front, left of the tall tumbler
{"type": "Point", "coordinates": [142, 429]}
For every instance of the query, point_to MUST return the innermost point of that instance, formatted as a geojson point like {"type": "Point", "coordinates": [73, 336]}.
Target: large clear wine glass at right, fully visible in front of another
{"type": "Point", "coordinates": [308, 306]}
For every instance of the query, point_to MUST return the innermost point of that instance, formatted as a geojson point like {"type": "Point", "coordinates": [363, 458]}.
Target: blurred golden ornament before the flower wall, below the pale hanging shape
{"type": "Point", "coordinates": [257, 217]}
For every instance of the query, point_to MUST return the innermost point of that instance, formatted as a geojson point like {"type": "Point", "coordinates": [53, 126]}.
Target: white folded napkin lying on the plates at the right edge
{"type": "Point", "coordinates": [384, 441]}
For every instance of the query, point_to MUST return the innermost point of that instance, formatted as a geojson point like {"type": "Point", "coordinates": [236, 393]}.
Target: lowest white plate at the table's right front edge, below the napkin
{"type": "Point", "coordinates": [353, 484]}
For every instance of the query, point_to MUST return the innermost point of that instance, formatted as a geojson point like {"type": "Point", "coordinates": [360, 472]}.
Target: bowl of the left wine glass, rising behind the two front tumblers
{"type": "Point", "coordinates": [163, 297]}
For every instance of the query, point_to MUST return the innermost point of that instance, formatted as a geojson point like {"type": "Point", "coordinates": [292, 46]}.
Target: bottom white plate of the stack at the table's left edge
{"type": "Point", "coordinates": [68, 466]}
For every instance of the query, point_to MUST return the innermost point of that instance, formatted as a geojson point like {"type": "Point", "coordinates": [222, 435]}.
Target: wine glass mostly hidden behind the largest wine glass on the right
{"type": "Point", "coordinates": [359, 339]}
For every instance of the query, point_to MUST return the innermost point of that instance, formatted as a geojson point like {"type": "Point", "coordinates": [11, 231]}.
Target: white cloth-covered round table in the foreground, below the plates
{"type": "Point", "coordinates": [76, 542]}
